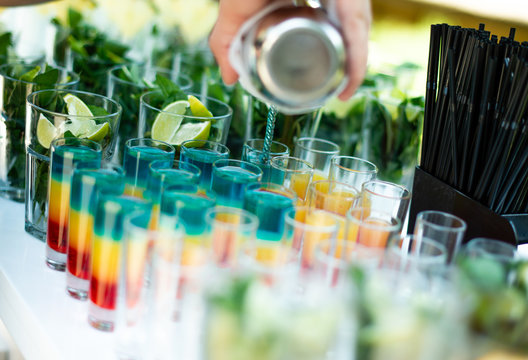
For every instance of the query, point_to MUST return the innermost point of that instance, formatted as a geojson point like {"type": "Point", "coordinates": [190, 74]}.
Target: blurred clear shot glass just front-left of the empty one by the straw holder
{"type": "Point", "coordinates": [407, 254]}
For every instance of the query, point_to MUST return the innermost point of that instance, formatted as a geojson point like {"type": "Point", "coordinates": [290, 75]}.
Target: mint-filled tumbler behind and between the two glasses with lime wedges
{"type": "Point", "coordinates": [126, 84]}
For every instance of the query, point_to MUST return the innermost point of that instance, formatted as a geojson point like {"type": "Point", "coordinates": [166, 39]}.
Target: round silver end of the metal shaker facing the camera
{"type": "Point", "coordinates": [301, 61]}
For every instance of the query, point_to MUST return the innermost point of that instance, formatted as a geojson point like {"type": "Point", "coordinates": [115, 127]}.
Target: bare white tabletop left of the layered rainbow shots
{"type": "Point", "coordinates": [43, 320]}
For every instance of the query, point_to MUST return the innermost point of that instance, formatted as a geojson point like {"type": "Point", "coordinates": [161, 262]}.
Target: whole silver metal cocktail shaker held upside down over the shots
{"type": "Point", "coordinates": [290, 56]}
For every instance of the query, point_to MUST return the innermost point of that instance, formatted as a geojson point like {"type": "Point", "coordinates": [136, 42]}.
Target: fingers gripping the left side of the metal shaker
{"type": "Point", "coordinates": [231, 15]}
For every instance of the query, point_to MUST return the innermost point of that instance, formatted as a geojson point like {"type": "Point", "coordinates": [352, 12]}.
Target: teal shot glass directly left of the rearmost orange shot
{"type": "Point", "coordinates": [230, 178]}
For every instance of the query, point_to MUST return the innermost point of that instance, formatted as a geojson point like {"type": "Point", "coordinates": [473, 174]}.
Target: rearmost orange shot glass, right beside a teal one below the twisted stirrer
{"type": "Point", "coordinates": [293, 173]}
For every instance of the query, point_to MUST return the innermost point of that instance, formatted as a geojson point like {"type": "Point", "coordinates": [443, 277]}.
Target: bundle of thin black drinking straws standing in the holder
{"type": "Point", "coordinates": [475, 135]}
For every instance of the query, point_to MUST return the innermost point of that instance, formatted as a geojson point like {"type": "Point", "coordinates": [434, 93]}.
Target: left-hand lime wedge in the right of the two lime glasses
{"type": "Point", "coordinates": [168, 121]}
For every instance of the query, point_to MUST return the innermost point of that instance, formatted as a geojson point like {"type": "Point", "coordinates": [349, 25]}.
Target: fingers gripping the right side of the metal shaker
{"type": "Point", "coordinates": [356, 18]}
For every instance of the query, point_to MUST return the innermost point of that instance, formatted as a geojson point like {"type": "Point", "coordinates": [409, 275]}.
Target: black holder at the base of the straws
{"type": "Point", "coordinates": [430, 193]}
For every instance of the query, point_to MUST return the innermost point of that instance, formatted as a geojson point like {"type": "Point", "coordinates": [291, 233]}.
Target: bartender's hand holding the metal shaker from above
{"type": "Point", "coordinates": [355, 17]}
